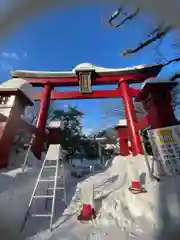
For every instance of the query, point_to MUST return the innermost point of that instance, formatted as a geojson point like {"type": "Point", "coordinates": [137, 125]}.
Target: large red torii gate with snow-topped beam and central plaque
{"type": "Point", "coordinates": [85, 75]}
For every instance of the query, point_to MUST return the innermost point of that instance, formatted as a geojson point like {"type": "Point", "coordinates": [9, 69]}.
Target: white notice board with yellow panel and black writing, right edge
{"type": "Point", "coordinates": [165, 143]}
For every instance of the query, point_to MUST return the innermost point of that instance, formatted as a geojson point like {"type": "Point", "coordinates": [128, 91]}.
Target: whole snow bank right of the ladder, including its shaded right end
{"type": "Point", "coordinates": [146, 212]}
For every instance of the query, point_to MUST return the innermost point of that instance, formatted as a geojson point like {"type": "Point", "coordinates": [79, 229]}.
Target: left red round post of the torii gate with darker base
{"type": "Point", "coordinates": [38, 144]}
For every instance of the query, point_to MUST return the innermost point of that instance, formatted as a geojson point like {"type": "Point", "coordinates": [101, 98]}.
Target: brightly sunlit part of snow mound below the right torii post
{"type": "Point", "coordinates": [122, 207]}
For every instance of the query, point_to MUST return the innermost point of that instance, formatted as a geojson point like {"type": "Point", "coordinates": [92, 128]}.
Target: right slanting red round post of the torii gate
{"type": "Point", "coordinates": [131, 118]}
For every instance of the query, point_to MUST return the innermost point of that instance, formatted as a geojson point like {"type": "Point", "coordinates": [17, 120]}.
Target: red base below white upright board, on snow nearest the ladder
{"type": "Point", "coordinates": [87, 213]}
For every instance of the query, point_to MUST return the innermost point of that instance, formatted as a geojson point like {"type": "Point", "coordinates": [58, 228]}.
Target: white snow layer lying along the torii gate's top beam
{"type": "Point", "coordinates": [80, 67]}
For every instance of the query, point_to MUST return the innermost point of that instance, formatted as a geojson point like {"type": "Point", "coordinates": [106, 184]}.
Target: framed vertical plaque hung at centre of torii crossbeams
{"type": "Point", "coordinates": [85, 82]}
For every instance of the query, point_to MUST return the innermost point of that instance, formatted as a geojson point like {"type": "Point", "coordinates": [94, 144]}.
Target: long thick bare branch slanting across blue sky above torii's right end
{"type": "Point", "coordinates": [159, 35]}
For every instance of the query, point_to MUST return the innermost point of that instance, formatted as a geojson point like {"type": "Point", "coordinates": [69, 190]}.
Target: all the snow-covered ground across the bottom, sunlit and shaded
{"type": "Point", "coordinates": [121, 214]}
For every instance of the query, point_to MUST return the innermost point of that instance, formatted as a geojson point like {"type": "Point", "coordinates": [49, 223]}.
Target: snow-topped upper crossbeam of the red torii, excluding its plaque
{"type": "Point", "coordinates": [102, 76]}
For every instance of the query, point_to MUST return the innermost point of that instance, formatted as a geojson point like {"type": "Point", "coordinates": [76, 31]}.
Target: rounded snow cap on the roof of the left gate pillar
{"type": "Point", "coordinates": [22, 85]}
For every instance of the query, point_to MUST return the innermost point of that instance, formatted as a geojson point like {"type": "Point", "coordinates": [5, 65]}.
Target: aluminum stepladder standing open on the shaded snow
{"type": "Point", "coordinates": [52, 161]}
